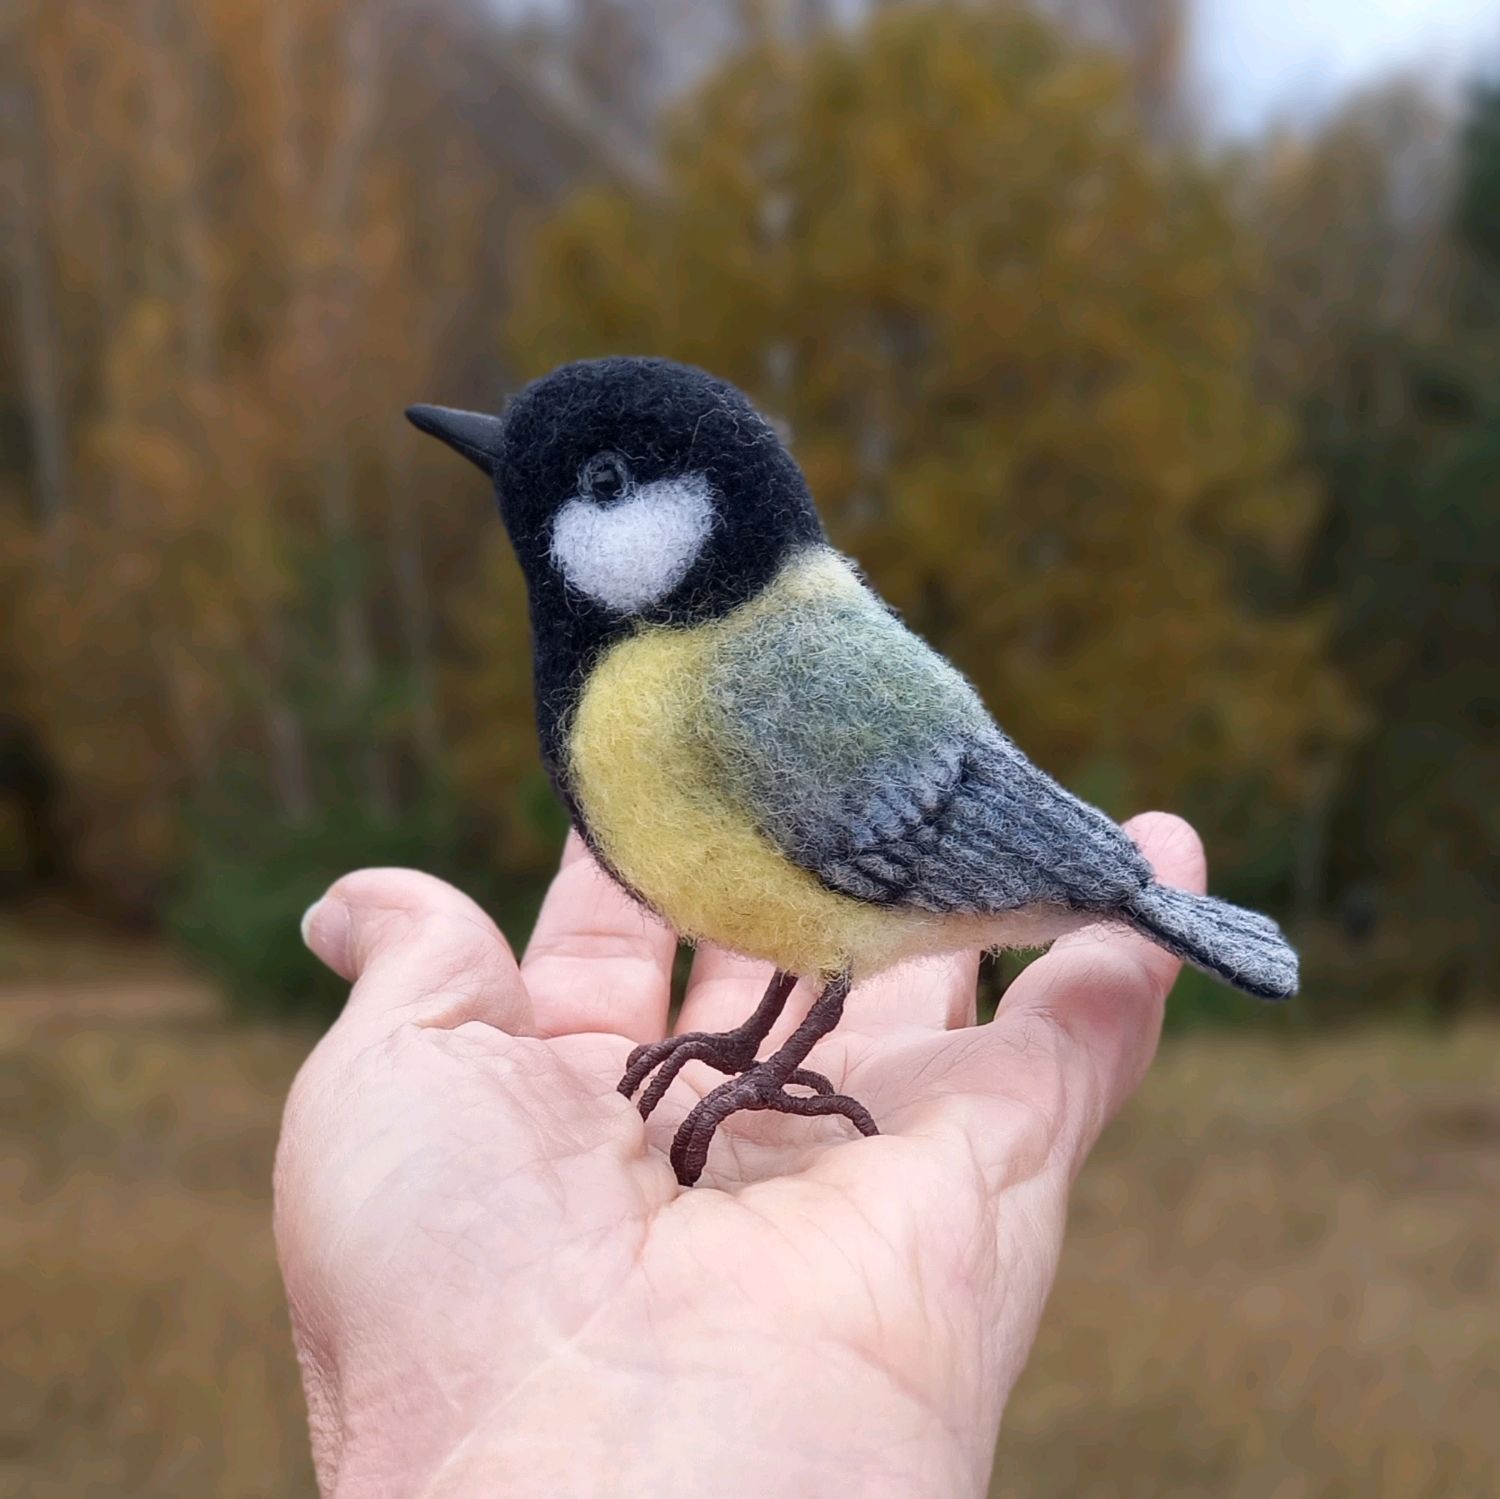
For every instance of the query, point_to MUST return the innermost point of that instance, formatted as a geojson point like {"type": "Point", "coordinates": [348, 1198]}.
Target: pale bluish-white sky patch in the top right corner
{"type": "Point", "coordinates": [1259, 61]}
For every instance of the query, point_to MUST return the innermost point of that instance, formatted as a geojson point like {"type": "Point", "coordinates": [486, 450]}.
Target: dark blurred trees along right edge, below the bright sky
{"type": "Point", "coordinates": [1382, 322]}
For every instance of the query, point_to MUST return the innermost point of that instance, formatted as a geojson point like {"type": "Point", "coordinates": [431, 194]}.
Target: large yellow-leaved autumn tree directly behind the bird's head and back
{"type": "Point", "coordinates": [1013, 346]}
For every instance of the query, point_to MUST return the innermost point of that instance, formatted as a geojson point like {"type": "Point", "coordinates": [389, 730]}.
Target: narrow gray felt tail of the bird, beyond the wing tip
{"type": "Point", "coordinates": [1241, 948]}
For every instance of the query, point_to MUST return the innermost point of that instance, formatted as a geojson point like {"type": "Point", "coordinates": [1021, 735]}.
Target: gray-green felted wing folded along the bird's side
{"type": "Point", "coordinates": [869, 762]}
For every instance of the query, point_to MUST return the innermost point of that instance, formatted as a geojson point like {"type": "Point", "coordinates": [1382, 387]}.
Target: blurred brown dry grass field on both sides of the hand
{"type": "Point", "coordinates": [1282, 1281]}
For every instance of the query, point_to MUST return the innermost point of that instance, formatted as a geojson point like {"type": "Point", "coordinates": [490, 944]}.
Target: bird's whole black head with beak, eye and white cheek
{"type": "Point", "coordinates": [638, 487]}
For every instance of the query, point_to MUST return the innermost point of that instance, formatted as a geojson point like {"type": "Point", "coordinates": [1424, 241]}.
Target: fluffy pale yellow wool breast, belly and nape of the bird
{"type": "Point", "coordinates": [671, 795]}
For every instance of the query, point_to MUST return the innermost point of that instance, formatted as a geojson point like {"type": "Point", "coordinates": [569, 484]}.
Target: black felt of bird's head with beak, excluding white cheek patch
{"type": "Point", "coordinates": [610, 427]}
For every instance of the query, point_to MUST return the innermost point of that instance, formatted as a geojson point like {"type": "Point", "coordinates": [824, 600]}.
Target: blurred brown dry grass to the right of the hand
{"type": "Point", "coordinates": [1282, 1282]}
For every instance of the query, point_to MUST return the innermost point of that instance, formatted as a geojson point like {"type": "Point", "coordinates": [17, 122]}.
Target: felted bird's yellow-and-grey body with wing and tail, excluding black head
{"type": "Point", "coordinates": [806, 783]}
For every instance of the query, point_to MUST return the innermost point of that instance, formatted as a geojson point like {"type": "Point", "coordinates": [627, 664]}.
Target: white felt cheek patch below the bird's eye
{"type": "Point", "coordinates": [634, 553]}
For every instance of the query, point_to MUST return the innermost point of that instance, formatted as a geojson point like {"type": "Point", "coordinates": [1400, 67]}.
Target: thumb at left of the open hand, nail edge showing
{"type": "Point", "coordinates": [416, 949]}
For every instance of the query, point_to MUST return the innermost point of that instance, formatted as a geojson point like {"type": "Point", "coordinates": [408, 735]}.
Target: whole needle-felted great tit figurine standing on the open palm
{"type": "Point", "coordinates": [758, 749]}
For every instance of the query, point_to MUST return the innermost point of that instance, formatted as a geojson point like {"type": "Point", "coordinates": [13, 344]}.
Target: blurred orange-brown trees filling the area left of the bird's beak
{"type": "Point", "coordinates": [238, 238]}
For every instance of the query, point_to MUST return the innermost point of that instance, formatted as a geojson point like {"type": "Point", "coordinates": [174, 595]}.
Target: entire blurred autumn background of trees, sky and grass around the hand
{"type": "Point", "coordinates": [1147, 352]}
